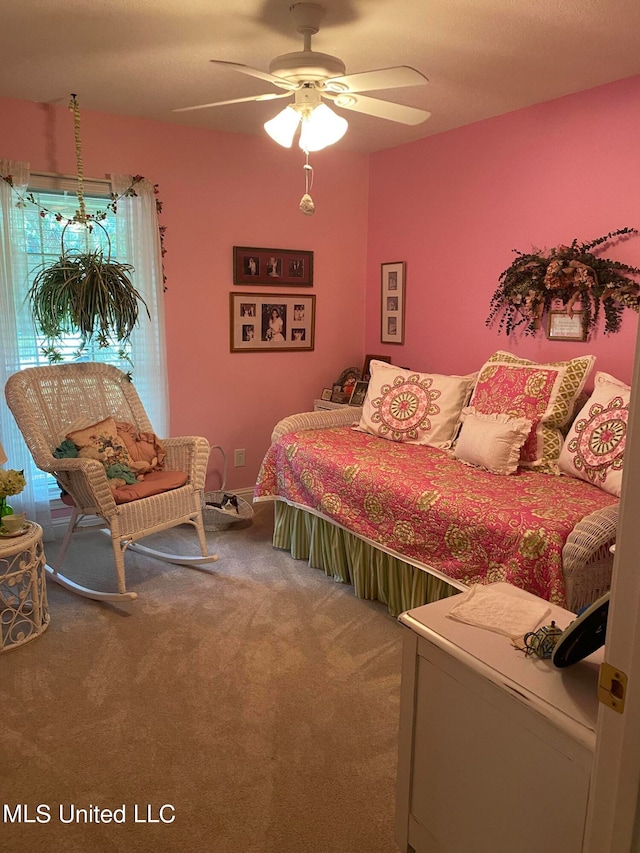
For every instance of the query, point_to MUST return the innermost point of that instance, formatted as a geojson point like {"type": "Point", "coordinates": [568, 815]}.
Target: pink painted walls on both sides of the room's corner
{"type": "Point", "coordinates": [452, 206]}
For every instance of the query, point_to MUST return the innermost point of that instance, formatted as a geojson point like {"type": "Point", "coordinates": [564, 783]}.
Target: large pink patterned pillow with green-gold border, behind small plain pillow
{"type": "Point", "coordinates": [545, 394]}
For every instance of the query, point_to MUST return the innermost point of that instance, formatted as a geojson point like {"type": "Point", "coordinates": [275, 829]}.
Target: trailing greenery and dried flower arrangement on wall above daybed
{"type": "Point", "coordinates": [569, 275]}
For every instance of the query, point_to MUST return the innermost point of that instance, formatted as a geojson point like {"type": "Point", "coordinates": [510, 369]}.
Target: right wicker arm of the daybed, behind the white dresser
{"type": "Point", "coordinates": [587, 562]}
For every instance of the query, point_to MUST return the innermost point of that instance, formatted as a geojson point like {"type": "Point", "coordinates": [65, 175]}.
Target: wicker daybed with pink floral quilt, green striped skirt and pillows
{"type": "Point", "coordinates": [407, 522]}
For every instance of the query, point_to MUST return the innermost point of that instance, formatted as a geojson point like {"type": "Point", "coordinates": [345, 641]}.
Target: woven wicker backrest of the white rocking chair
{"type": "Point", "coordinates": [49, 402]}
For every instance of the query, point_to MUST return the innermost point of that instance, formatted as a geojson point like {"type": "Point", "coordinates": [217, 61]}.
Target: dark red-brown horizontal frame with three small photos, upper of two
{"type": "Point", "coordinates": [274, 267]}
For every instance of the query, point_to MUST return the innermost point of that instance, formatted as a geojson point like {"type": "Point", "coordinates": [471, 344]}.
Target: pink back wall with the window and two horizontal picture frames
{"type": "Point", "coordinates": [221, 190]}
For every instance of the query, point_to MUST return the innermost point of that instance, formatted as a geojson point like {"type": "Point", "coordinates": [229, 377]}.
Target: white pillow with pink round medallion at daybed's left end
{"type": "Point", "coordinates": [417, 408]}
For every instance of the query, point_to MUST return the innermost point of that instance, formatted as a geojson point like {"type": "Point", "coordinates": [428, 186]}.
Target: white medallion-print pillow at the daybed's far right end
{"type": "Point", "coordinates": [594, 448]}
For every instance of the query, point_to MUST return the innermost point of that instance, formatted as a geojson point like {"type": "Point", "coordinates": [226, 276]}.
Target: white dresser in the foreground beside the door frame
{"type": "Point", "coordinates": [495, 748]}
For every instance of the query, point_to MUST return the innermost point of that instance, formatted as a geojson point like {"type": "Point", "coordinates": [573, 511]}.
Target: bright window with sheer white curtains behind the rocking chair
{"type": "Point", "coordinates": [26, 240]}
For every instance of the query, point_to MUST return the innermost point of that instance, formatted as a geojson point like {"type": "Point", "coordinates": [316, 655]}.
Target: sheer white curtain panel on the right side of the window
{"type": "Point", "coordinates": [138, 230]}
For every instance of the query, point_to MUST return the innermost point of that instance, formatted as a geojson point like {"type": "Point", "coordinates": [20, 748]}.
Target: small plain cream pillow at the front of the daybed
{"type": "Point", "coordinates": [492, 441]}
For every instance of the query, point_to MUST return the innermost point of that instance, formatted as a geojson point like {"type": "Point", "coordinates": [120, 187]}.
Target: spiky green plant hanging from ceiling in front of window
{"type": "Point", "coordinates": [86, 292]}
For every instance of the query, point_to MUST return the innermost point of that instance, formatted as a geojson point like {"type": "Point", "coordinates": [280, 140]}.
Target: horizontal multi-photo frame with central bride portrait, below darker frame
{"type": "Point", "coordinates": [271, 322]}
